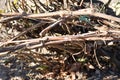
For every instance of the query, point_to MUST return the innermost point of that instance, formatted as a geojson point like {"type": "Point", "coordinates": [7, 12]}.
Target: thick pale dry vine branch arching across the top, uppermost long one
{"type": "Point", "coordinates": [87, 11]}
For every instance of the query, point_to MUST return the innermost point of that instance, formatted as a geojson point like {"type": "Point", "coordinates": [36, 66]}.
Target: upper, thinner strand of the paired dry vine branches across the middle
{"type": "Point", "coordinates": [69, 37]}
